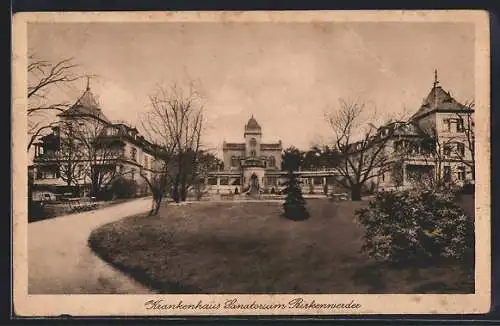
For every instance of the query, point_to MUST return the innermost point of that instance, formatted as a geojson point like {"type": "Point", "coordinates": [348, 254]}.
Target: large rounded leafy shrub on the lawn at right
{"type": "Point", "coordinates": [416, 226]}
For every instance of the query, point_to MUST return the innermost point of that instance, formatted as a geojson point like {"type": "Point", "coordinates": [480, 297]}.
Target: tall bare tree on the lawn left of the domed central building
{"type": "Point", "coordinates": [175, 123]}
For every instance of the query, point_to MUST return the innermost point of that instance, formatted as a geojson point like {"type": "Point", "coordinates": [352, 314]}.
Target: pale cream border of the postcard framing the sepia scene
{"type": "Point", "coordinates": [128, 305]}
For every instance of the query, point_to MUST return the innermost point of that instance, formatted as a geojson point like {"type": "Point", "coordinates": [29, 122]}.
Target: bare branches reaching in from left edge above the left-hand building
{"type": "Point", "coordinates": [43, 77]}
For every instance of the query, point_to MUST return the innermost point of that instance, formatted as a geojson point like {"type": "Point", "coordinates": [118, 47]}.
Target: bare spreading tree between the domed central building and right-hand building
{"type": "Point", "coordinates": [361, 145]}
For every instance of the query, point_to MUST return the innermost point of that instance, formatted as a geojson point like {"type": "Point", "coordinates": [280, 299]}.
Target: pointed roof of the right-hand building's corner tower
{"type": "Point", "coordinates": [439, 100]}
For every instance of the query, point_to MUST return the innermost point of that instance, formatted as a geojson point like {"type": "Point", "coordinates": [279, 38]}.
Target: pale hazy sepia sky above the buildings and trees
{"type": "Point", "coordinates": [287, 75]}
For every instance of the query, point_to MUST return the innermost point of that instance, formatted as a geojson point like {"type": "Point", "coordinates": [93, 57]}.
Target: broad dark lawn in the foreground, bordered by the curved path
{"type": "Point", "coordinates": [247, 247]}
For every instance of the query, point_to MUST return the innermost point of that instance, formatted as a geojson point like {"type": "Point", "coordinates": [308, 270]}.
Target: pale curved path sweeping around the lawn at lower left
{"type": "Point", "coordinates": [60, 261]}
